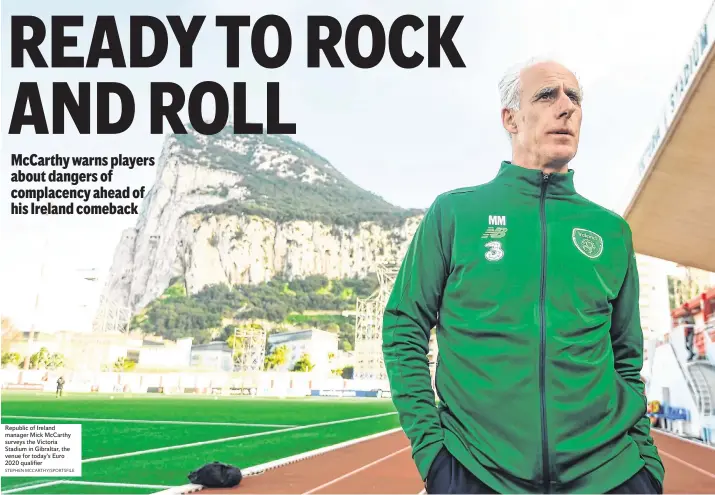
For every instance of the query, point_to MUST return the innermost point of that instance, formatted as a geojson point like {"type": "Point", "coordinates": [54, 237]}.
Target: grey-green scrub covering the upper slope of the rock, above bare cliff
{"type": "Point", "coordinates": [287, 181]}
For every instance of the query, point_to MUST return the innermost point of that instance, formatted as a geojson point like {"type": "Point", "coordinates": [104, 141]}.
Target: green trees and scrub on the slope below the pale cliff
{"type": "Point", "coordinates": [313, 301]}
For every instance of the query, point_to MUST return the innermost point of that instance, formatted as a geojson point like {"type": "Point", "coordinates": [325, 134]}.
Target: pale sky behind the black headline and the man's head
{"type": "Point", "coordinates": [406, 135]}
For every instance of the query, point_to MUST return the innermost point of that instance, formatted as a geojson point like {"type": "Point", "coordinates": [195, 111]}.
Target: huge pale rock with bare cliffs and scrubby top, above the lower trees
{"type": "Point", "coordinates": [241, 209]}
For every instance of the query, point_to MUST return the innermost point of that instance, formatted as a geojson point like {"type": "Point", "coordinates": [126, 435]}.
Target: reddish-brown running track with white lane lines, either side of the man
{"type": "Point", "coordinates": [384, 465]}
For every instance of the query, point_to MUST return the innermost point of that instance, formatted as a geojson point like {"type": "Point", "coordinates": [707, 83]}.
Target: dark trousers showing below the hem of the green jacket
{"type": "Point", "coordinates": [448, 475]}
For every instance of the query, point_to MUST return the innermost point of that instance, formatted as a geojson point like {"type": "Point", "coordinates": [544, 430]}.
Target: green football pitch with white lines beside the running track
{"type": "Point", "coordinates": [156, 441]}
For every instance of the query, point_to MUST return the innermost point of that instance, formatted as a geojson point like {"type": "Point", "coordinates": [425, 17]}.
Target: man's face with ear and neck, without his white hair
{"type": "Point", "coordinates": [547, 125]}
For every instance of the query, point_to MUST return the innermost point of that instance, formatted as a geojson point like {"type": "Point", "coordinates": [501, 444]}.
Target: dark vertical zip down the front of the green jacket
{"type": "Point", "coordinates": [542, 351]}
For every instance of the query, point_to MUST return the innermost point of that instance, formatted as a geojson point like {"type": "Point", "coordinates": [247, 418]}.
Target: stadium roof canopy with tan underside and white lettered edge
{"type": "Point", "coordinates": [672, 211]}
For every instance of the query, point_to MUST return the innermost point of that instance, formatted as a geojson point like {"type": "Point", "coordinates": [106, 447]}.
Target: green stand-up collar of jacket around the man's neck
{"type": "Point", "coordinates": [530, 181]}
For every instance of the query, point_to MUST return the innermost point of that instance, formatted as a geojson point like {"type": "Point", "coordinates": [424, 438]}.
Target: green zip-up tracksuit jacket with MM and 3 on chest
{"type": "Point", "coordinates": [533, 291]}
